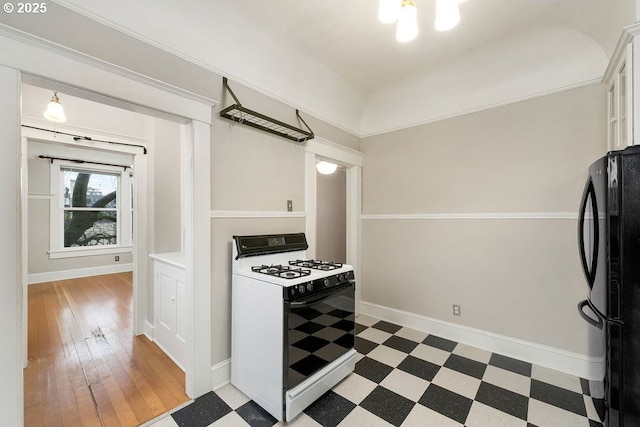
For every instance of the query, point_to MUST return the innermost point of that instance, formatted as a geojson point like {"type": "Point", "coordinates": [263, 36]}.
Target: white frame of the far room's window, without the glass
{"type": "Point", "coordinates": [124, 210]}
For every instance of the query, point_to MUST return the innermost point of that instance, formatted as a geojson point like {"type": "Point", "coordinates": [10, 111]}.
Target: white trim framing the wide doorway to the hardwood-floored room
{"type": "Point", "coordinates": [89, 78]}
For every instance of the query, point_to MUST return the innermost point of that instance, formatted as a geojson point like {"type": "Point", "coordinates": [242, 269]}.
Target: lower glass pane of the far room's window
{"type": "Point", "coordinates": [90, 228]}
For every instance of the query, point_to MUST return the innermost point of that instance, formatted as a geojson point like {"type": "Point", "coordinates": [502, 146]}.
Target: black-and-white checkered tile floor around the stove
{"type": "Point", "coordinates": [404, 377]}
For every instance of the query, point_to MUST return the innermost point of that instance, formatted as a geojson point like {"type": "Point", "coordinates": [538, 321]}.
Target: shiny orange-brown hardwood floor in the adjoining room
{"type": "Point", "coordinates": [86, 368]}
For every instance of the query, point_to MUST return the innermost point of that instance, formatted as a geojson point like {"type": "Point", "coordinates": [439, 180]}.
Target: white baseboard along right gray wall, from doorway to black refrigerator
{"type": "Point", "coordinates": [591, 368]}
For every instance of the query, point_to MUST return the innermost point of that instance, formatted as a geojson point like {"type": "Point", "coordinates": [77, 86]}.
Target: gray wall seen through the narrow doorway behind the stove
{"type": "Point", "coordinates": [331, 218]}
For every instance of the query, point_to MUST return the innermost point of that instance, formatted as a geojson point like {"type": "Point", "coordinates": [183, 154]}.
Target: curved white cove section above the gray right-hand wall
{"type": "Point", "coordinates": [518, 67]}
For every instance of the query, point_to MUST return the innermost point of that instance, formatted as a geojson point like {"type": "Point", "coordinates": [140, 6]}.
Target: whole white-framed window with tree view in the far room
{"type": "Point", "coordinates": [91, 210]}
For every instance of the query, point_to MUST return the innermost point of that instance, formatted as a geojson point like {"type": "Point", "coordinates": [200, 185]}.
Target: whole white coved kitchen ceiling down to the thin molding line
{"type": "Point", "coordinates": [302, 50]}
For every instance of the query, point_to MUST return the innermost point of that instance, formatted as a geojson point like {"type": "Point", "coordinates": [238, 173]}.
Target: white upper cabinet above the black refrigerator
{"type": "Point", "coordinates": [623, 105]}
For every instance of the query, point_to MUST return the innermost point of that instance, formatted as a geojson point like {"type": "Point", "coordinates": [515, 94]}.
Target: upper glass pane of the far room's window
{"type": "Point", "coordinates": [89, 189]}
